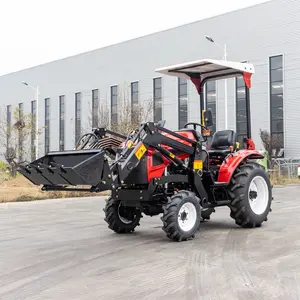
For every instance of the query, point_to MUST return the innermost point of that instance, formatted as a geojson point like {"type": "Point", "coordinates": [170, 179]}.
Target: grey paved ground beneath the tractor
{"type": "Point", "coordinates": [62, 249]}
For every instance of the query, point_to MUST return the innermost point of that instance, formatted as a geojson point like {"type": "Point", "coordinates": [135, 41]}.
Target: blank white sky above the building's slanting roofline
{"type": "Point", "coordinates": [34, 32]}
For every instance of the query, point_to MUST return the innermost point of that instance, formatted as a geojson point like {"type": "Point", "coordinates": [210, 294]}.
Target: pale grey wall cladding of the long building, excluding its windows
{"type": "Point", "coordinates": [251, 34]}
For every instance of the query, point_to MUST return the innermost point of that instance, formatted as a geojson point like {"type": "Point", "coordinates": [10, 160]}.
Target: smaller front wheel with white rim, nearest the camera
{"type": "Point", "coordinates": [171, 225]}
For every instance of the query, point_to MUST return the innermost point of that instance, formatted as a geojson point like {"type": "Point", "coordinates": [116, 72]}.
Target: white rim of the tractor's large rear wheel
{"type": "Point", "coordinates": [258, 195]}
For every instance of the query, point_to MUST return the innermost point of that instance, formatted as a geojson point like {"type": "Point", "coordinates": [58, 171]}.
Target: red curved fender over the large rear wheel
{"type": "Point", "coordinates": [232, 161]}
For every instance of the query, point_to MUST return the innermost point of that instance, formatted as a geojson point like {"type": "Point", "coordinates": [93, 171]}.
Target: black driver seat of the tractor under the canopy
{"type": "Point", "coordinates": [221, 142]}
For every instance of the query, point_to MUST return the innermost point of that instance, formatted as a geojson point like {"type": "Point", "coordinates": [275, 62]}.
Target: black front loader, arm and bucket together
{"type": "Point", "coordinates": [91, 167]}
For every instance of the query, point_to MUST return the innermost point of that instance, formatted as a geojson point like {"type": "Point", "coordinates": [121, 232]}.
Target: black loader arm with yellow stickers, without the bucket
{"type": "Point", "coordinates": [150, 136]}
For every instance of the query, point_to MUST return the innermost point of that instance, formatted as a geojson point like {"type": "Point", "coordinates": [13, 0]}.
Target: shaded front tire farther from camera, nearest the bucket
{"type": "Point", "coordinates": [114, 212]}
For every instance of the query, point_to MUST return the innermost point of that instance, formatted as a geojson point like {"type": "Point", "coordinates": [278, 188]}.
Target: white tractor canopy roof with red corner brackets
{"type": "Point", "coordinates": [200, 71]}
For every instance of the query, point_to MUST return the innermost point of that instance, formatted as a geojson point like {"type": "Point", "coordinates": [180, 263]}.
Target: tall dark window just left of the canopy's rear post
{"type": "Point", "coordinates": [241, 112]}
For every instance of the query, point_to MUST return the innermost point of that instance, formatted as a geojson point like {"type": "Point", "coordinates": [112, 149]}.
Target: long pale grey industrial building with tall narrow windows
{"type": "Point", "coordinates": [266, 35]}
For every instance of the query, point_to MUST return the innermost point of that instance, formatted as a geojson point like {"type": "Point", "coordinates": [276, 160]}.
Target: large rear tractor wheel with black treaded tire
{"type": "Point", "coordinates": [240, 208]}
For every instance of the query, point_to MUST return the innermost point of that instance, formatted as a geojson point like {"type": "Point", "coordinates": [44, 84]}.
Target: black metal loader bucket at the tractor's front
{"type": "Point", "coordinates": [66, 168]}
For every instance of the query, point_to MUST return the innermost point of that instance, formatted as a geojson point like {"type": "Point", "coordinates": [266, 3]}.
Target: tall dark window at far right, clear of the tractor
{"type": "Point", "coordinates": [276, 101]}
